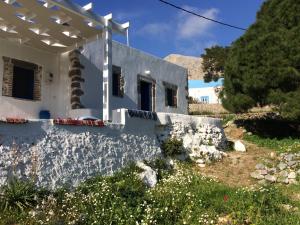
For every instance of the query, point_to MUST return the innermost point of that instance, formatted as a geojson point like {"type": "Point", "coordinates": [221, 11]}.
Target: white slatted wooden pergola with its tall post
{"type": "Point", "coordinates": [59, 26]}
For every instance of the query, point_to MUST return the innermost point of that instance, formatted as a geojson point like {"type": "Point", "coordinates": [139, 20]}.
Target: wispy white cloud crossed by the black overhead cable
{"type": "Point", "coordinates": [190, 26]}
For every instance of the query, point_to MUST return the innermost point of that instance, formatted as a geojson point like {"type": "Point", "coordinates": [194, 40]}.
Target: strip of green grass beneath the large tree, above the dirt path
{"type": "Point", "coordinates": [279, 145]}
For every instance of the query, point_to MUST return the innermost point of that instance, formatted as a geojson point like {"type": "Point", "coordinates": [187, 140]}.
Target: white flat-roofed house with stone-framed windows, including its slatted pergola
{"type": "Point", "coordinates": [59, 57]}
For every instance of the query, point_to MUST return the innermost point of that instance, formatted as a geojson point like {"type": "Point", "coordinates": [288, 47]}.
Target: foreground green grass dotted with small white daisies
{"type": "Point", "coordinates": [181, 197]}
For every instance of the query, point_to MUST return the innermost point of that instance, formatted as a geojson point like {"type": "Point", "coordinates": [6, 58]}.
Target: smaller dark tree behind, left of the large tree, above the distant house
{"type": "Point", "coordinates": [214, 62]}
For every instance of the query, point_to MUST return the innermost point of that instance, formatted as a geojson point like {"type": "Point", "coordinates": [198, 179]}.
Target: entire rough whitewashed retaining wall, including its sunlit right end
{"type": "Point", "coordinates": [59, 155]}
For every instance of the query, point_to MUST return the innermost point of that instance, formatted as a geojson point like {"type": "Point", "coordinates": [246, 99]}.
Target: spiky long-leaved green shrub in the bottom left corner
{"type": "Point", "coordinates": [18, 195]}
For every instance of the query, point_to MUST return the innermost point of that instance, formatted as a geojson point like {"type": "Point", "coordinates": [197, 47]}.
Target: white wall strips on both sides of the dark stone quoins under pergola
{"type": "Point", "coordinates": [92, 59]}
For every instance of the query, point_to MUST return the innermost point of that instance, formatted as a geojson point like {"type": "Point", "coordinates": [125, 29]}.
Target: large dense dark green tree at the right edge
{"type": "Point", "coordinates": [263, 66]}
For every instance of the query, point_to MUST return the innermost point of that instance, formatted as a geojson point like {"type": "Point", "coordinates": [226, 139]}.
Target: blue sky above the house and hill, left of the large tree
{"type": "Point", "coordinates": [161, 30]}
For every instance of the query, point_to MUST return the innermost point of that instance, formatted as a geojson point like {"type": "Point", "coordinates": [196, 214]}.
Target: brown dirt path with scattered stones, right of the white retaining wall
{"type": "Point", "coordinates": [255, 166]}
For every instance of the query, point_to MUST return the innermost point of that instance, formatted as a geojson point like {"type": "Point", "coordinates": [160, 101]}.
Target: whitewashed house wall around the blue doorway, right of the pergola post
{"type": "Point", "coordinates": [134, 62]}
